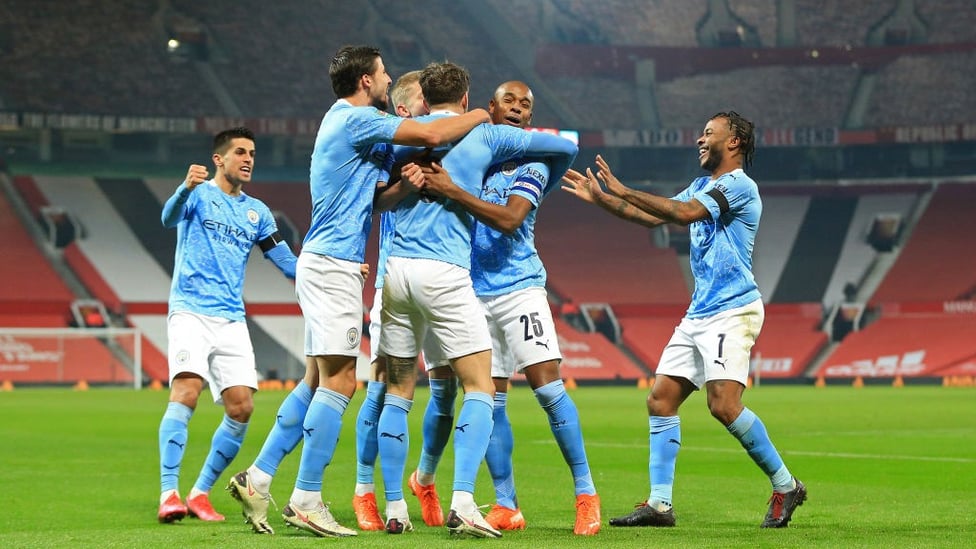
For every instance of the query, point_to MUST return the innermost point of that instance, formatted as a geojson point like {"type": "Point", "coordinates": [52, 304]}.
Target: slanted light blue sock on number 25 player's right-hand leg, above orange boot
{"type": "Point", "coordinates": [564, 424]}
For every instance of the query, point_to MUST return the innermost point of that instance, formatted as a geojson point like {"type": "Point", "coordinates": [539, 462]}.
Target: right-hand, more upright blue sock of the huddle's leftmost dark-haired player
{"type": "Point", "coordinates": [323, 422]}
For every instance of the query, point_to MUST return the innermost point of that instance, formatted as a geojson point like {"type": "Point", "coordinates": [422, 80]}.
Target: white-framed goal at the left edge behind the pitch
{"type": "Point", "coordinates": [106, 356]}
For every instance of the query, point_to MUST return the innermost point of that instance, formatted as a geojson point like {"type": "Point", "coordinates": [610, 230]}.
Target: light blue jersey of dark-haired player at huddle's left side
{"type": "Point", "coordinates": [347, 161]}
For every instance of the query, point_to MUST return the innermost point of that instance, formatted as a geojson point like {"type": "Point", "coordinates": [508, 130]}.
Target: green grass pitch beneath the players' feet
{"type": "Point", "coordinates": [885, 467]}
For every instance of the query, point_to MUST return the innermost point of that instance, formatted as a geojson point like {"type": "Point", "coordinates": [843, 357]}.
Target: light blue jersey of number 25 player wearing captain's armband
{"type": "Point", "coordinates": [500, 263]}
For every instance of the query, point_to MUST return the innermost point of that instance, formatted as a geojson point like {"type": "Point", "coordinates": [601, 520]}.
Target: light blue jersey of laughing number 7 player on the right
{"type": "Point", "coordinates": [721, 247]}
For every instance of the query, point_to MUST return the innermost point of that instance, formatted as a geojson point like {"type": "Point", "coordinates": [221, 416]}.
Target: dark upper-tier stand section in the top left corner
{"type": "Point", "coordinates": [54, 47]}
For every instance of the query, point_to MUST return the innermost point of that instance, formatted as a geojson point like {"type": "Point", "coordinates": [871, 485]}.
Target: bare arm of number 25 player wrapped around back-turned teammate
{"type": "Point", "coordinates": [504, 218]}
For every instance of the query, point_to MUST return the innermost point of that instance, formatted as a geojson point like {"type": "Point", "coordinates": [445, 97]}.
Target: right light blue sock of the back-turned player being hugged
{"type": "Point", "coordinates": [471, 436]}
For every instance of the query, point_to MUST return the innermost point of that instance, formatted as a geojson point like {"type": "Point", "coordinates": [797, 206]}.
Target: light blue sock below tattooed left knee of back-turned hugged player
{"type": "Point", "coordinates": [393, 442]}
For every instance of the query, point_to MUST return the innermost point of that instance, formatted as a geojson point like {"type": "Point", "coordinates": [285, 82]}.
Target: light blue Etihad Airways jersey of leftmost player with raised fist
{"type": "Point", "coordinates": [213, 241]}
